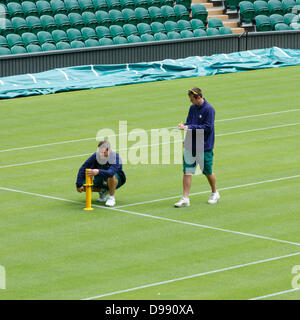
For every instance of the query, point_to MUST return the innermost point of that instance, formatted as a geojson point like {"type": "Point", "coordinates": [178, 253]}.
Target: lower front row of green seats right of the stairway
{"type": "Point", "coordinates": [277, 22]}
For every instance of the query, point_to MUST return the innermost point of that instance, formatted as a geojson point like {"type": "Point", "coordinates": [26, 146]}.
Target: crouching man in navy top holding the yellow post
{"type": "Point", "coordinates": [106, 168]}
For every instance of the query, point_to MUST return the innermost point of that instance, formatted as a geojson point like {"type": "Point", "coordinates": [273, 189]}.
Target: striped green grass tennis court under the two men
{"type": "Point", "coordinates": [244, 247]}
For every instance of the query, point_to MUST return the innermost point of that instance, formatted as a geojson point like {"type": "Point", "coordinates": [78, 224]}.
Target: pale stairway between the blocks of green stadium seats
{"type": "Point", "coordinates": [216, 9]}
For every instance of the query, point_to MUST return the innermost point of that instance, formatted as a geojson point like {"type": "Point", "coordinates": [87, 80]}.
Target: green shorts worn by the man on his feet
{"type": "Point", "coordinates": [205, 162]}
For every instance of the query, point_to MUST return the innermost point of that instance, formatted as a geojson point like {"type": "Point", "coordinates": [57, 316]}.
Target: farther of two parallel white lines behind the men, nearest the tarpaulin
{"type": "Point", "coordinates": [94, 138]}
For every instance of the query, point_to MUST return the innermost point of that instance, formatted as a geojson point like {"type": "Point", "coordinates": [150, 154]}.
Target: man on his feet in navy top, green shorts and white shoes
{"type": "Point", "coordinates": [201, 116]}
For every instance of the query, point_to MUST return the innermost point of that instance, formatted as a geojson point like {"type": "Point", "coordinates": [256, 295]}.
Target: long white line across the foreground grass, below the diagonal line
{"type": "Point", "coordinates": [192, 276]}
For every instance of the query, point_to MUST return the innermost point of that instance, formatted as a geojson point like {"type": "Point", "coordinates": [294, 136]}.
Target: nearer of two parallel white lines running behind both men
{"type": "Point", "coordinates": [217, 135]}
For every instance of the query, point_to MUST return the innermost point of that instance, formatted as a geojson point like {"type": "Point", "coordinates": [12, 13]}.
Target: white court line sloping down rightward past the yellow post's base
{"type": "Point", "coordinates": [163, 218]}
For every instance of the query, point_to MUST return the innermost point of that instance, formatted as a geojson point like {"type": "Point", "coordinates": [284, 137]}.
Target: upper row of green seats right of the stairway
{"type": "Point", "coordinates": [249, 10]}
